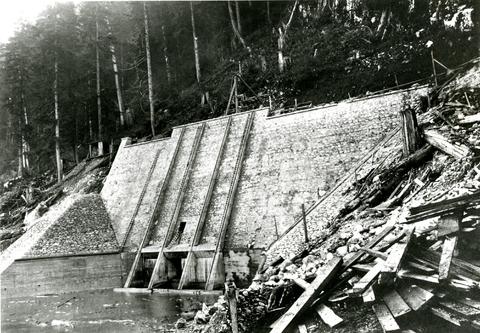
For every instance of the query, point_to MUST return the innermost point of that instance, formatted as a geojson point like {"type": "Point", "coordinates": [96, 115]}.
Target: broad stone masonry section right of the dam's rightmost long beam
{"type": "Point", "coordinates": [292, 159]}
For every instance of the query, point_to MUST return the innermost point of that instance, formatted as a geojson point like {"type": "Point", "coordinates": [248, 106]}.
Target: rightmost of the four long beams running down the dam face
{"type": "Point", "coordinates": [231, 197]}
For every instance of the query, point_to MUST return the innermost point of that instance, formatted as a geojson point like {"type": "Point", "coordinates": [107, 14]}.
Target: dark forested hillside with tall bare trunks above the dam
{"type": "Point", "coordinates": [99, 71]}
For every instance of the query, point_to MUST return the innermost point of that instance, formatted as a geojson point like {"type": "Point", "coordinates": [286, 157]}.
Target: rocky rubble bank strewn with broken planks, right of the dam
{"type": "Point", "coordinates": [404, 247]}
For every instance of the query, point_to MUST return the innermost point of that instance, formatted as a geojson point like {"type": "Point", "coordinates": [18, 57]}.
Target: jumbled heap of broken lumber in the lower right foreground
{"type": "Point", "coordinates": [414, 274]}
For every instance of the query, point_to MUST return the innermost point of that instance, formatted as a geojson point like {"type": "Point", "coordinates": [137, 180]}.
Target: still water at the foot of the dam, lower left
{"type": "Point", "coordinates": [96, 311]}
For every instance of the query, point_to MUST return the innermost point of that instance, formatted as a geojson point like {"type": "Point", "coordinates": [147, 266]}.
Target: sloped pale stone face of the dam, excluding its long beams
{"type": "Point", "coordinates": [290, 160]}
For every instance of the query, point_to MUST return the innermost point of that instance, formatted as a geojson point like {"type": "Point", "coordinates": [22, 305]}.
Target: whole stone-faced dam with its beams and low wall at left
{"type": "Point", "coordinates": [187, 211]}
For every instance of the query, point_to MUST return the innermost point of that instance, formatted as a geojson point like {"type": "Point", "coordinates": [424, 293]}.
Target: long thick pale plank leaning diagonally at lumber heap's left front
{"type": "Point", "coordinates": [324, 276]}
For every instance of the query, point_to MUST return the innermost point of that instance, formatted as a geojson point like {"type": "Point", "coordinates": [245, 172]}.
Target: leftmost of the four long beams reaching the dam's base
{"type": "Point", "coordinates": [153, 217]}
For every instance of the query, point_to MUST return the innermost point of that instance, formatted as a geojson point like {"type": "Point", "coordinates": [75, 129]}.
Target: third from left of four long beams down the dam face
{"type": "Point", "coordinates": [206, 204]}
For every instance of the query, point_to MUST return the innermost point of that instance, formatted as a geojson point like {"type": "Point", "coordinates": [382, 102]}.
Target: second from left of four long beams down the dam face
{"type": "Point", "coordinates": [178, 204]}
